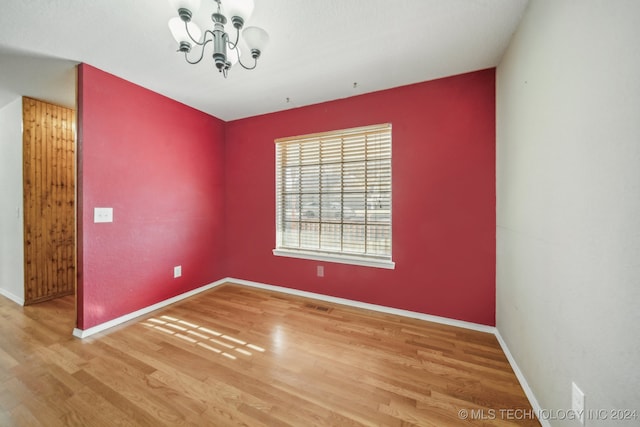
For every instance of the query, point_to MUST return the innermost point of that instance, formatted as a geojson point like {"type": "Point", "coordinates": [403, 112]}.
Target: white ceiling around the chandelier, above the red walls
{"type": "Point", "coordinates": [318, 49]}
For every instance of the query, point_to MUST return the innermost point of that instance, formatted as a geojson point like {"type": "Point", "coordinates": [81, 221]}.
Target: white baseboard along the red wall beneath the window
{"type": "Point", "coordinates": [374, 307]}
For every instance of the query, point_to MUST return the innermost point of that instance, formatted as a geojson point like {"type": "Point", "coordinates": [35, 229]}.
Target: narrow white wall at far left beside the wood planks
{"type": "Point", "coordinates": [11, 221]}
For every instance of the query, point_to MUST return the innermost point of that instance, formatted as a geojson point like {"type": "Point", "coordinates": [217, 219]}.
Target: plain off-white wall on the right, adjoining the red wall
{"type": "Point", "coordinates": [568, 203]}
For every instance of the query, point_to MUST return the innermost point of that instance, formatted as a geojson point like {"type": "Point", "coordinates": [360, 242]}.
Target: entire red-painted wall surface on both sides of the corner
{"type": "Point", "coordinates": [185, 193]}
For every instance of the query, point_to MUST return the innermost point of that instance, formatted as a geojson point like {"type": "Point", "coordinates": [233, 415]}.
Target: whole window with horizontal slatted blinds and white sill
{"type": "Point", "coordinates": [333, 196]}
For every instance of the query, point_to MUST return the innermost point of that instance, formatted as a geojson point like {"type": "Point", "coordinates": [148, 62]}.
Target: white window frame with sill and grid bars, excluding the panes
{"type": "Point", "coordinates": [322, 254]}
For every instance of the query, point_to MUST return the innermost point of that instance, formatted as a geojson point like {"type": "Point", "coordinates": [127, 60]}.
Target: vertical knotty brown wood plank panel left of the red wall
{"type": "Point", "coordinates": [49, 200]}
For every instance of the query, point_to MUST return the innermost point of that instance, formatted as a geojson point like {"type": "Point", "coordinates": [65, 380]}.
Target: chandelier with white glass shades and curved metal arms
{"type": "Point", "coordinates": [226, 47]}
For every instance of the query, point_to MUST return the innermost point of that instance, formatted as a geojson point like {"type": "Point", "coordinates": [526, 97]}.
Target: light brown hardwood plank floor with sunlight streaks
{"type": "Point", "coordinates": [238, 356]}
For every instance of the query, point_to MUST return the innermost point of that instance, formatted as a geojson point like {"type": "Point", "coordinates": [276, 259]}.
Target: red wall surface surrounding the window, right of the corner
{"type": "Point", "coordinates": [443, 198]}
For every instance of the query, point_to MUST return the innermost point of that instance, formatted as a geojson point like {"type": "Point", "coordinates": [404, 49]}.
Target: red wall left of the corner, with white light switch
{"type": "Point", "coordinates": [160, 165]}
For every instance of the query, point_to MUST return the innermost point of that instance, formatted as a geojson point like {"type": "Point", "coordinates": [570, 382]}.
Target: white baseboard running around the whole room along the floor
{"type": "Point", "coordinates": [79, 333]}
